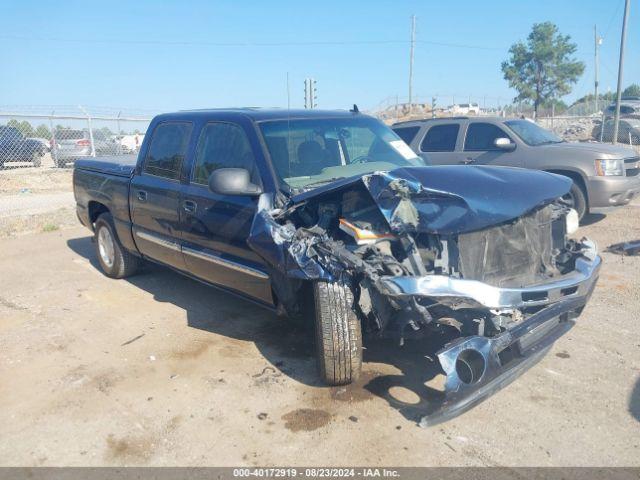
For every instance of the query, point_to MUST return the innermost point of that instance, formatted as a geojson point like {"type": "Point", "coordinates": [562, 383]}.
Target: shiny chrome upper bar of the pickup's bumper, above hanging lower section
{"type": "Point", "coordinates": [457, 291]}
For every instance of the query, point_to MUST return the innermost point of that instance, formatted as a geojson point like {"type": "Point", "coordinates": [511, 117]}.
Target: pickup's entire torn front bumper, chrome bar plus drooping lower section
{"type": "Point", "coordinates": [478, 366]}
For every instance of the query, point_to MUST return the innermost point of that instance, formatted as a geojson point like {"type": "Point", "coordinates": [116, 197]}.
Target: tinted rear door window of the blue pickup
{"type": "Point", "coordinates": [167, 149]}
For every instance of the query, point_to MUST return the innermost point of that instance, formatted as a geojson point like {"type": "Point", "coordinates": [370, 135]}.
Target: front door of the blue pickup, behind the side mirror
{"type": "Point", "coordinates": [215, 227]}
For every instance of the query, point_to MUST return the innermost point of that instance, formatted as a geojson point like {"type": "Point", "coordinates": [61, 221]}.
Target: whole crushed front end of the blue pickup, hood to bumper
{"type": "Point", "coordinates": [481, 252]}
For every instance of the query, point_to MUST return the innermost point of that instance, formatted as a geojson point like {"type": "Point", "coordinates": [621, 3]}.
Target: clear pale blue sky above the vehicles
{"type": "Point", "coordinates": [170, 55]}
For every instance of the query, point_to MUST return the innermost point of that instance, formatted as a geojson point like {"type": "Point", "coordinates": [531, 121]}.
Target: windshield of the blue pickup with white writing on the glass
{"type": "Point", "coordinates": [309, 152]}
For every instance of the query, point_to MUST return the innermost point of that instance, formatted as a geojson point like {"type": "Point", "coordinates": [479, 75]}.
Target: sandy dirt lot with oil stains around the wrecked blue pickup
{"type": "Point", "coordinates": [160, 370]}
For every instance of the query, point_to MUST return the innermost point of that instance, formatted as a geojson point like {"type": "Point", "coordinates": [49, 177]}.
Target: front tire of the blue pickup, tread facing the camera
{"type": "Point", "coordinates": [338, 333]}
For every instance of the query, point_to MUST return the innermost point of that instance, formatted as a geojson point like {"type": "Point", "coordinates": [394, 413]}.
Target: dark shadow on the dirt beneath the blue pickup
{"type": "Point", "coordinates": [290, 349]}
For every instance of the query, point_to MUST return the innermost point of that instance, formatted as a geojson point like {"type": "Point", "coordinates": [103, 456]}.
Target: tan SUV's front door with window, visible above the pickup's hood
{"type": "Point", "coordinates": [479, 147]}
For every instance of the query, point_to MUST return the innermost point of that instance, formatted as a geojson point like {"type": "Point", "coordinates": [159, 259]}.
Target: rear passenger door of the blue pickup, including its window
{"type": "Point", "coordinates": [155, 194]}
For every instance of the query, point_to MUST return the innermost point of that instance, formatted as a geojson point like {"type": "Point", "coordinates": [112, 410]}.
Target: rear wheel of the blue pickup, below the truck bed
{"type": "Point", "coordinates": [114, 259]}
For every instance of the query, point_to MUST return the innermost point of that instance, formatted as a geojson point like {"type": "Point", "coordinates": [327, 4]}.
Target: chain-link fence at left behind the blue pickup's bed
{"type": "Point", "coordinates": [56, 137]}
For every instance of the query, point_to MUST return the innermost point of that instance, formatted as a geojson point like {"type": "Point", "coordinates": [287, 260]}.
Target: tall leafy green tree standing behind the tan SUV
{"type": "Point", "coordinates": [542, 69]}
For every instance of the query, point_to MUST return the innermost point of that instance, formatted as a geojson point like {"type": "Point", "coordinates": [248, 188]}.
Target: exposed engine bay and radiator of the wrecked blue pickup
{"type": "Point", "coordinates": [344, 233]}
